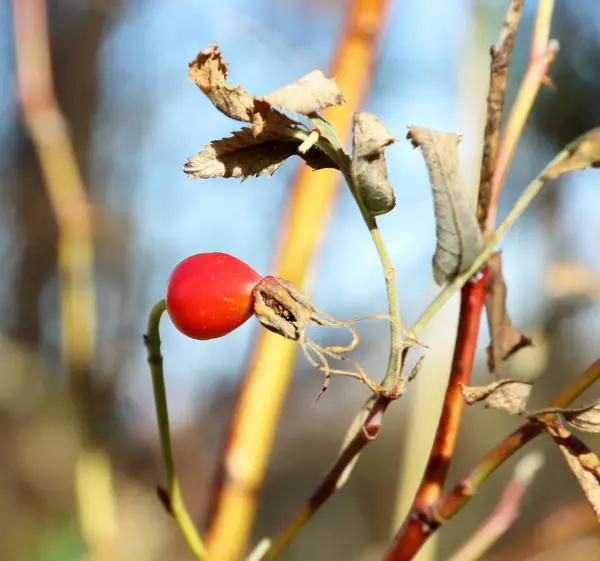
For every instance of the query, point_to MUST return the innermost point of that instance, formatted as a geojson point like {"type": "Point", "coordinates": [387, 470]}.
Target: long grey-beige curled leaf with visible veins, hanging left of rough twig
{"type": "Point", "coordinates": [459, 239]}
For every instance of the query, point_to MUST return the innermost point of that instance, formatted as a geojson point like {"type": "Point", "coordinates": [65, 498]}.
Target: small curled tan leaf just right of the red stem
{"type": "Point", "coordinates": [509, 395]}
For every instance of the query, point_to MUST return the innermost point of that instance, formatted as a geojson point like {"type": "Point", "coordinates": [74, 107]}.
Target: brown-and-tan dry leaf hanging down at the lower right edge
{"type": "Point", "coordinates": [584, 464]}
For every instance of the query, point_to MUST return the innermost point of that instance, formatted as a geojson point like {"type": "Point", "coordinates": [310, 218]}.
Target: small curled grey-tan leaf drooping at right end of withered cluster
{"type": "Point", "coordinates": [368, 168]}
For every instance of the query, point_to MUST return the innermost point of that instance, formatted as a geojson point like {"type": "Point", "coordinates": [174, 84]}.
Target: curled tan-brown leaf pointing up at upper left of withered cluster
{"type": "Point", "coordinates": [209, 72]}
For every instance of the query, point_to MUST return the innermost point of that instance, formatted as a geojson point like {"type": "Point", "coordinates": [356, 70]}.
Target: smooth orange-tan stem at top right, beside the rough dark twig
{"type": "Point", "coordinates": [543, 53]}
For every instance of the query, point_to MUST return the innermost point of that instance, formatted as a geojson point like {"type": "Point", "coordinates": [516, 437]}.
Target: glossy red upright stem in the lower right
{"type": "Point", "coordinates": [414, 531]}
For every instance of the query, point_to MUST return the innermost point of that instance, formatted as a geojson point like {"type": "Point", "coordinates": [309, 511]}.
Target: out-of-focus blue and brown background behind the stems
{"type": "Point", "coordinates": [120, 75]}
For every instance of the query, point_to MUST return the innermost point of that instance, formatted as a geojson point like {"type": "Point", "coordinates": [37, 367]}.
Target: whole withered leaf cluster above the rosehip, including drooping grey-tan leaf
{"type": "Point", "coordinates": [272, 135]}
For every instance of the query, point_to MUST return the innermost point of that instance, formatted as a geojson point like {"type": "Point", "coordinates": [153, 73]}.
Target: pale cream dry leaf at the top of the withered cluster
{"type": "Point", "coordinates": [310, 94]}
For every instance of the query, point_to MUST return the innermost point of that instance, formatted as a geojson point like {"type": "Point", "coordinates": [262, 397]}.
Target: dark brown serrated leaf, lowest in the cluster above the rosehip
{"type": "Point", "coordinates": [244, 155]}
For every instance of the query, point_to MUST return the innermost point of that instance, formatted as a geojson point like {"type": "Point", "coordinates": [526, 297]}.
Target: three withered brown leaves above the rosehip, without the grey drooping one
{"type": "Point", "coordinates": [272, 136]}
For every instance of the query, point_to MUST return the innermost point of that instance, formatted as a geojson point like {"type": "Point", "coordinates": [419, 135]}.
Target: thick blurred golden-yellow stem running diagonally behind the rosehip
{"type": "Point", "coordinates": [265, 384]}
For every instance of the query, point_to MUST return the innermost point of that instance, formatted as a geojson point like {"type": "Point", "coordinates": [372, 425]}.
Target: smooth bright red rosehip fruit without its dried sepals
{"type": "Point", "coordinates": [210, 294]}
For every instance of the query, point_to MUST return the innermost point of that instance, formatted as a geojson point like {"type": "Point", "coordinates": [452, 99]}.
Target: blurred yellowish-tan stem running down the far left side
{"type": "Point", "coordinates": [71, 208]}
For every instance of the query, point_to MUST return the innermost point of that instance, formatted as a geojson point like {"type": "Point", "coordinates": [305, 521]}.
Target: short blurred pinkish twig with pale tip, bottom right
{"type": "Point", "coordinates": [506, 511]}
